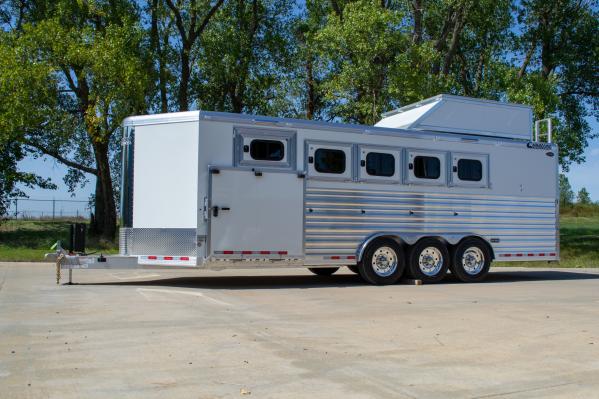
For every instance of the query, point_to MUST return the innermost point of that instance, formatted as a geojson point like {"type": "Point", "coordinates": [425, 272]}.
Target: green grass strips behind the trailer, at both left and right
{"type": "Point", "coordinates": [29, 240]}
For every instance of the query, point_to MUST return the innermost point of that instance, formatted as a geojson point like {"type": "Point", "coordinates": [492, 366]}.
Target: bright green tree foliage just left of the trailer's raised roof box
{"type": "Point", "coordinates": [360, 42]}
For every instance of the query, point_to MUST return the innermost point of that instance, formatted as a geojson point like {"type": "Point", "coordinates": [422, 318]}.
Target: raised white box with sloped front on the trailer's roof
{"type": "Point", "coordinates": [463, 115]}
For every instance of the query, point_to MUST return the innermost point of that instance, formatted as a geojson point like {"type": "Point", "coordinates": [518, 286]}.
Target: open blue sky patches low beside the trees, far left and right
{"type": "Point", "coordinates": [583, 175]}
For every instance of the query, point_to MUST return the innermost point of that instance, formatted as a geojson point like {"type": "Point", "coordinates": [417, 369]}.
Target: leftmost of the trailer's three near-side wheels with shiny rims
{"type": "Point", "coordinates": [388, 251]}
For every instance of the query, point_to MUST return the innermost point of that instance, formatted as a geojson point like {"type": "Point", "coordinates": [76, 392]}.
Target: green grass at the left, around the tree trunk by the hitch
{"type": "Point", "coordinates": [29, 240]}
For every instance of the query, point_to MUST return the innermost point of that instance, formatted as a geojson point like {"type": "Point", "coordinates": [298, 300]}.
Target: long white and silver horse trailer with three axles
{"type": "Point", "coordinates": [450, 183]}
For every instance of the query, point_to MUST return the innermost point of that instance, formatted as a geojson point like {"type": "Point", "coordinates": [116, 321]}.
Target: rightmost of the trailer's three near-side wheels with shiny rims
{"type": "Point", "coordinates": [471, 269]}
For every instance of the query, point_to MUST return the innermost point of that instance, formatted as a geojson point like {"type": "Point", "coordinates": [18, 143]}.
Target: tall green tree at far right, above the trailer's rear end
{"type": "Point", "coordinates": [559, 47]}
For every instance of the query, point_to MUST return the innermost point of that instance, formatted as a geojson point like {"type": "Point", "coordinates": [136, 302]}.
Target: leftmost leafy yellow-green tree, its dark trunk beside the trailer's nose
{"type": "Point", "coordinates": [75, 70]}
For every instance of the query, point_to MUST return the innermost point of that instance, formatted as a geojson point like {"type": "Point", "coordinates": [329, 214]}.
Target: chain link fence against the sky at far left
{"type": "Point", "coordinates": [48, 209]}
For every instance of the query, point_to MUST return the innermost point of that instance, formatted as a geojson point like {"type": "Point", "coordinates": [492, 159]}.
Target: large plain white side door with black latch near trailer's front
{"type": "Point", "coordinates": [256, 215]}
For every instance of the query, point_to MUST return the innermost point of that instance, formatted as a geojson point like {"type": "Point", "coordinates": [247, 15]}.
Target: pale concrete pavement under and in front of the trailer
{"type": "Point", "coordinates": [288, 334]}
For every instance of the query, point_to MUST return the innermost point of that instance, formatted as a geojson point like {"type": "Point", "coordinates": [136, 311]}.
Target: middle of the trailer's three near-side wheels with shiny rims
{"type": "Point", "coordinates": [428, 260]}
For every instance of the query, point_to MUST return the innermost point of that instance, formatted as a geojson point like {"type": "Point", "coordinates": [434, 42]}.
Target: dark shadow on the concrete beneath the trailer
{"type": "Point", "coordinates": [242, 282]}
